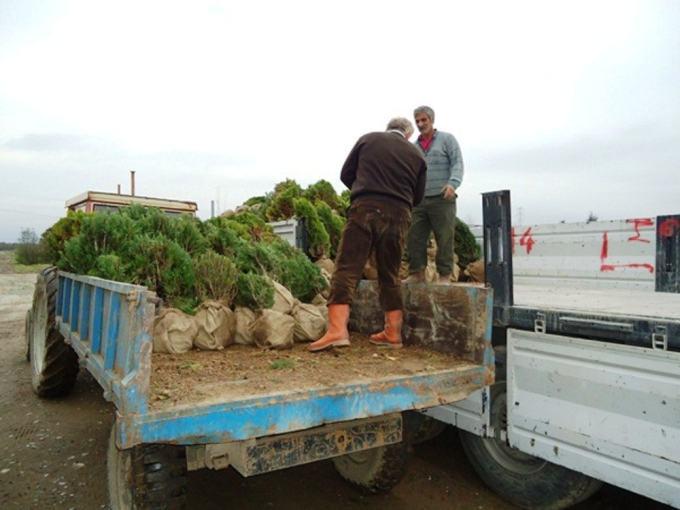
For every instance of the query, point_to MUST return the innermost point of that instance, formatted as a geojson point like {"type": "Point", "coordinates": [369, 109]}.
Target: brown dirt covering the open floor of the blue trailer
{"type": "Point", "coordinates": [242, 371]}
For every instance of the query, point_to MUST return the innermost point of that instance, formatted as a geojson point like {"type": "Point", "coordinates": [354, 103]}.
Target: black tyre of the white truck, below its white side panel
{"type": "Point", "coordinates": [524, 480]}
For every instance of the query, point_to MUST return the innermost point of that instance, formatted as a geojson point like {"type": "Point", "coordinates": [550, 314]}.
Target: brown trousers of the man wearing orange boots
{"type": "Point", "coordinates": [372, 225]}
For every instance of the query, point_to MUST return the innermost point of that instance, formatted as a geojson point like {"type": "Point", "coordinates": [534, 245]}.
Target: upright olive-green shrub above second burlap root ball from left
{"type": "Point", "coordinates": [215, 277]}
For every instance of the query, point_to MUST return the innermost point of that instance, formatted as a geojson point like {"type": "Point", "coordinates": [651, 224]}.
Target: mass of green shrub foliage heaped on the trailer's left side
{"type": "Point", "coordinates": [184, 260]}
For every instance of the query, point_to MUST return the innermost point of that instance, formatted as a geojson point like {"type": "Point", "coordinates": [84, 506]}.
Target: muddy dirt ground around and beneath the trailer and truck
{"type": "Point", "coordinates": [53, 453]}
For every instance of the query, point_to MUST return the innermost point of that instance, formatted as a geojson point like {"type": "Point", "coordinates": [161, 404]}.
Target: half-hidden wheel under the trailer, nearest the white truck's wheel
{"type": "Point", "coordinates": [376, 470]}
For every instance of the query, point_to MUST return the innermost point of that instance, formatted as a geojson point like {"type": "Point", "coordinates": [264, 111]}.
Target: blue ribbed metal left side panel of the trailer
{"type": "Point", "coordinates": [108, 324]}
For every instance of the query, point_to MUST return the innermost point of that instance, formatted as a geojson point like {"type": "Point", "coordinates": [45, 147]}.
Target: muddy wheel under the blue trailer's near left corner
{"type": "Point", "coordinates": [151, 476]}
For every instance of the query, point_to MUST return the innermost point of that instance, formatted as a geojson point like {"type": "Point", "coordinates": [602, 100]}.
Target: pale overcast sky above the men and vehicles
{"type": "Point", "coordinates": [572, 105]}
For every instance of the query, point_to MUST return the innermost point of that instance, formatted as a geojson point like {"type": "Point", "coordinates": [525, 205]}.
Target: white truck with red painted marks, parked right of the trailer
{"type": "Point", "coordinates": [587, 378]}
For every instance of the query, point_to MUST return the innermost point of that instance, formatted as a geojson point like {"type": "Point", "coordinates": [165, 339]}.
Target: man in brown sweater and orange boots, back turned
{"type": "Point", "coordinates": [386, 176]}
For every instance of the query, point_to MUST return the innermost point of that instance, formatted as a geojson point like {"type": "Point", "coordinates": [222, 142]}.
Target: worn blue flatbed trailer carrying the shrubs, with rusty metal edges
{"type": "Point", "coordinates": [108, 326]}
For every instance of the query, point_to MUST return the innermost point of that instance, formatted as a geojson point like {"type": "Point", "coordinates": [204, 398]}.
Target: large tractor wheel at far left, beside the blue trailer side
{"type": "Point", "coordinates": [53, 362]}
